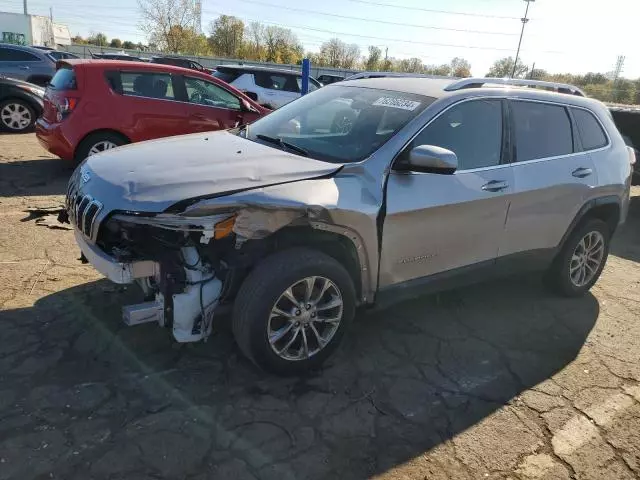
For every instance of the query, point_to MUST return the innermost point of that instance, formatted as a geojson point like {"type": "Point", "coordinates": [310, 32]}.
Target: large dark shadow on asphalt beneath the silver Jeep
{"type": "Point", "coordinates": [119, 402]}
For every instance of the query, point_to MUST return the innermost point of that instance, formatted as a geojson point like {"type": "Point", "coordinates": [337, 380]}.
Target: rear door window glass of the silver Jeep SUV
{"type": "Point", "coordinates": [541, 130]}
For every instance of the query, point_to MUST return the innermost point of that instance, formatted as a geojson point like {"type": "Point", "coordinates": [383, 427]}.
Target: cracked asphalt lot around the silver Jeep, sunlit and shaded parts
{"type": "Point", "coordinates": [495, 381]}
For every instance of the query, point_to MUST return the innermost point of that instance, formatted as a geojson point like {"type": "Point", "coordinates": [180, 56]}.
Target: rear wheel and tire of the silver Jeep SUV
{"type": "Point", "coordinates": [582, 258]}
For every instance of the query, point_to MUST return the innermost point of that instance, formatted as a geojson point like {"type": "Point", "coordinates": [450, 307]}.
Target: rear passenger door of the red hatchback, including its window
{"type": "Point", "coordinates": [148, 104]}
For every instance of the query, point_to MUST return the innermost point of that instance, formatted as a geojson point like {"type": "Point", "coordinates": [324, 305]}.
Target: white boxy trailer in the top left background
{"type": "Point", "coordinates": [36, 30]}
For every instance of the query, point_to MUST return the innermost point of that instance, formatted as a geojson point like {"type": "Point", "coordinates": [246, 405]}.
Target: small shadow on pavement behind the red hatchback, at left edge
{"type": "Point", "coordinates": [43, 176]}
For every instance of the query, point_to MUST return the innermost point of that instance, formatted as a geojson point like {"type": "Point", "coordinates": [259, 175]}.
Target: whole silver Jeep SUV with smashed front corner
{"type": "Point", "coordinates": [301, 217]}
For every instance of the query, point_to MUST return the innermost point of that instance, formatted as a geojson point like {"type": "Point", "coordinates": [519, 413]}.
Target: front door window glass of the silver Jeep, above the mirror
{"type": "Point", "coordinates": [472, 130]}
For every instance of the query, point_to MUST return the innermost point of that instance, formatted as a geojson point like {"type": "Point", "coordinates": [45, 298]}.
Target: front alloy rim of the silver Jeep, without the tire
{"type": "Point", "coordinates": [305, 318]}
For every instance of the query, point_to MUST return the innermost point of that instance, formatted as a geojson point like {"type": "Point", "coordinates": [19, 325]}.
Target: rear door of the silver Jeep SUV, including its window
{"type": "Point", "coordinates": [553, 177]}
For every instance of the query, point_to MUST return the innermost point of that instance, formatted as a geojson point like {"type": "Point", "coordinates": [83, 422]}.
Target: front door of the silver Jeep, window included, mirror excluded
{"type": "Point", "coordinates": [440, 222]}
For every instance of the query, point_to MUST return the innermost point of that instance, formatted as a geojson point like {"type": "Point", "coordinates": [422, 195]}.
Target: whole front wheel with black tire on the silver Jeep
{"type": "Point", "coordinates": [293, 310]}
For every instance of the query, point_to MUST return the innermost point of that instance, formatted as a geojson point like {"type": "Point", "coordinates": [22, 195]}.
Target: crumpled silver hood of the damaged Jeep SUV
{"type": "Point", "coordinates": [152, 176]}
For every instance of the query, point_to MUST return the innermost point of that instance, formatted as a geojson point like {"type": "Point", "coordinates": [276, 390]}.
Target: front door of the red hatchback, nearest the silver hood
{"type": "Point", "coordinates": [211, 107]}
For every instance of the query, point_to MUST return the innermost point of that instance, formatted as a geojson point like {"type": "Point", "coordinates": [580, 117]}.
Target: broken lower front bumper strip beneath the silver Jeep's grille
{"type": "Point", "coordinates": [108, 266]}
